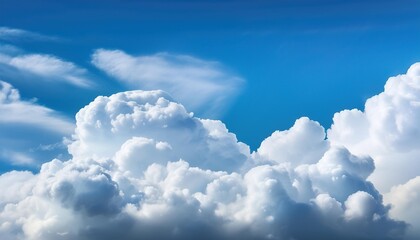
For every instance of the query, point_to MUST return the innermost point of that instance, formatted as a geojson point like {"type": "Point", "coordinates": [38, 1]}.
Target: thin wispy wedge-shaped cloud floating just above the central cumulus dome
{"type": "Point", "coordinates": [203, 86]}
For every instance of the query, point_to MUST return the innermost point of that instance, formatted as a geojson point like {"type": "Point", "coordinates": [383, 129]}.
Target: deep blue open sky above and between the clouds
{"type": "Point", "coordinates": [299, 58]}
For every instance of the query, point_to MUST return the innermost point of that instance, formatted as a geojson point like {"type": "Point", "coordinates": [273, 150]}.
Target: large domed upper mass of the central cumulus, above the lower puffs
{"type": "Point", "coordinates": [151, 122]}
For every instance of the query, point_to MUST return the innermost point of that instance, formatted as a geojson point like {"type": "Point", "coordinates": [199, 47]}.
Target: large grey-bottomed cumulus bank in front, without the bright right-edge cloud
{"type": "Point", "coordinates": [142, 166]}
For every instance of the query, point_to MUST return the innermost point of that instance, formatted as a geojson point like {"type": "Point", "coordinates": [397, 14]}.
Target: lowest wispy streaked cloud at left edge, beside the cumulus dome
{"type": "Point", "coordinates": [23, 121]}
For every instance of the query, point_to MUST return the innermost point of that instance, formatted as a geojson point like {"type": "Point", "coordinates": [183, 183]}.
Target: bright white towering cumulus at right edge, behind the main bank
{"type": "Point", "coordinates": [388, 130]}
